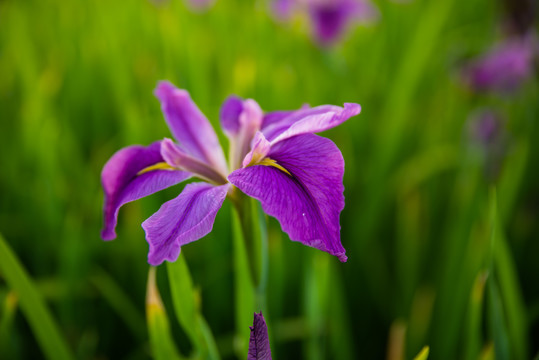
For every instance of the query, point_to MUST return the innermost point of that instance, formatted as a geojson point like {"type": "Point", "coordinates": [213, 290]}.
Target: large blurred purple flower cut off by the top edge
{"type": "Point", "coordinates": [329, 18]}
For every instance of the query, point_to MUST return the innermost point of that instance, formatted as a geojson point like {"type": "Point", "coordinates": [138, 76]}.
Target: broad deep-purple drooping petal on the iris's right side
{"type": "Point", "coordinates": [308, 202]}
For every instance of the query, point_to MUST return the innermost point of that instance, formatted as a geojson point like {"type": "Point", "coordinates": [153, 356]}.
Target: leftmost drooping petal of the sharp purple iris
{"type": "Point", "coordinates": [122, 182]}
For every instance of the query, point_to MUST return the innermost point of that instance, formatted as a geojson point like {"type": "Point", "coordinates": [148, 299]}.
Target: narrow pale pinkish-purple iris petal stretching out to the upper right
{"type": "Point", "coordinates": [310, 120]}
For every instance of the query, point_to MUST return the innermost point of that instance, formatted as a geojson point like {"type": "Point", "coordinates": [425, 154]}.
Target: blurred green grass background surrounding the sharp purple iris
{"type": "Point", "coordinates": [441, 251]}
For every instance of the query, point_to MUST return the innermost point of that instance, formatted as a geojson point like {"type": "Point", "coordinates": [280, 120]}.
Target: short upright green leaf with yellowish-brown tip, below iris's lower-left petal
{"type": "Point", "coordinates": [161, 341]}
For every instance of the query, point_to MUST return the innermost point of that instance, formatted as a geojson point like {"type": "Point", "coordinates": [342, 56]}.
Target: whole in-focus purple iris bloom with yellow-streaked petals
{"type": "Point", "coordinates": [274, 157]}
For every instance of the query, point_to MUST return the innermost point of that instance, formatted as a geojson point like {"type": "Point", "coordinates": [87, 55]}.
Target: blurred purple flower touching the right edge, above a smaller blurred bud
{"type": "Point", "coordinates": [505, 67]}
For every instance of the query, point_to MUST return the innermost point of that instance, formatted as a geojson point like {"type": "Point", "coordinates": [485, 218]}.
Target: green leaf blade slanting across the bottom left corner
{"type": "Point", "coordinates": [33, 306]}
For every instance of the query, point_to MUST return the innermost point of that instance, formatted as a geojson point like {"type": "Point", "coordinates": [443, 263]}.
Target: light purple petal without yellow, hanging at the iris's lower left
{"type": "Point", "coordinates": [186, 218]}
